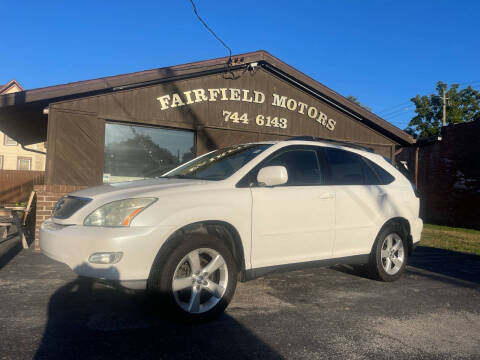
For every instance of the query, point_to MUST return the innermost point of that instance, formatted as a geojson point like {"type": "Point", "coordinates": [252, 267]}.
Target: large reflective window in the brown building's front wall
{"type": "Point", "coordinates": [137, 152]}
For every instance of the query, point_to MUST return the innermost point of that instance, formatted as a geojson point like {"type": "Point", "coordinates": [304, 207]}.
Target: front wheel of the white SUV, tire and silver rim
{"type": "Point", "coordinates": [195, 276]}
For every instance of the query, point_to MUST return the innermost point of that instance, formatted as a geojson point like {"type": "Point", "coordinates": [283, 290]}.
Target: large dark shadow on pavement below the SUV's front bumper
{"type": "Point", "coordinates": [89, 320]}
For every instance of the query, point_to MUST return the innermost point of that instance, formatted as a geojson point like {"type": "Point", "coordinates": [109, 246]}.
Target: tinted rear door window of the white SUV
{"type": "Point", "coordinates": [348, 168]}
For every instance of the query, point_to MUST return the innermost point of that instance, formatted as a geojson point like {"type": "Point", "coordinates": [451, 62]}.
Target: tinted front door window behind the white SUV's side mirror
{"type": "Point", "coordinates": [302, 166]}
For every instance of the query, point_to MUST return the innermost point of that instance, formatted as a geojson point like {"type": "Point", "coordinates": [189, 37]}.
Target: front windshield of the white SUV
{"type": "Point", "coordinates": [218, 165]}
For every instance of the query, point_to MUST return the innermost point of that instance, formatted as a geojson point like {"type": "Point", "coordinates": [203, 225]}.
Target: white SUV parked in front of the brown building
{"type": "Point", "coordinates": [239, 212]}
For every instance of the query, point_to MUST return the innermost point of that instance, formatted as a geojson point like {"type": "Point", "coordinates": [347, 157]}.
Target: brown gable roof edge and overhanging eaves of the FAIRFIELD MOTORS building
{"type": "Point", "coordinates": [31, 103]}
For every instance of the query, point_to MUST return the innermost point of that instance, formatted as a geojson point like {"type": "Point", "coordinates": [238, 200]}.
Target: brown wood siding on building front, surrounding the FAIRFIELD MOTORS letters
{"type": "Point", "coordinates": [76, 127]}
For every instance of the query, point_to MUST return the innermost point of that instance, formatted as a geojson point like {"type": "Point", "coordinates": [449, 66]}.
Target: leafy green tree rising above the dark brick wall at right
{"type": "Point", "coordinates": [462, 106]}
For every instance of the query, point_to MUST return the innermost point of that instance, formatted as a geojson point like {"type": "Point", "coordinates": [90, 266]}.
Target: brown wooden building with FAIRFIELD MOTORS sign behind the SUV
{"type": "Point", "coordinates": [142, 124]}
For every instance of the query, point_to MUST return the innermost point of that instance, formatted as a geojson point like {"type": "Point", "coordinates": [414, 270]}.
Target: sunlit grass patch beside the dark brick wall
{"type": "Point", "coordinates": [449, 238]}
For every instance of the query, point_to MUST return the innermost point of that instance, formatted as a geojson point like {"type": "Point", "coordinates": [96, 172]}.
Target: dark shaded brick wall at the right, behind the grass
{"type": "Point", "coordinates": [449, 176]}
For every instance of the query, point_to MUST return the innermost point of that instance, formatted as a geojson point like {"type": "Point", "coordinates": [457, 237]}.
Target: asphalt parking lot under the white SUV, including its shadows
{"type": "Point", "coordinates": [433, 312]}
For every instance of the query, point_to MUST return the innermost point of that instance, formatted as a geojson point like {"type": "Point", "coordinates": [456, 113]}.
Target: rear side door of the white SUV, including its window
{"type": "Point", "coordinates": [358, 195]}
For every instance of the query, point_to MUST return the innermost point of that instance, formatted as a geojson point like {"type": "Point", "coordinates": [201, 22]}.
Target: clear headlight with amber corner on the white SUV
{"type": "Point", "coordinates": [118, 213]}
